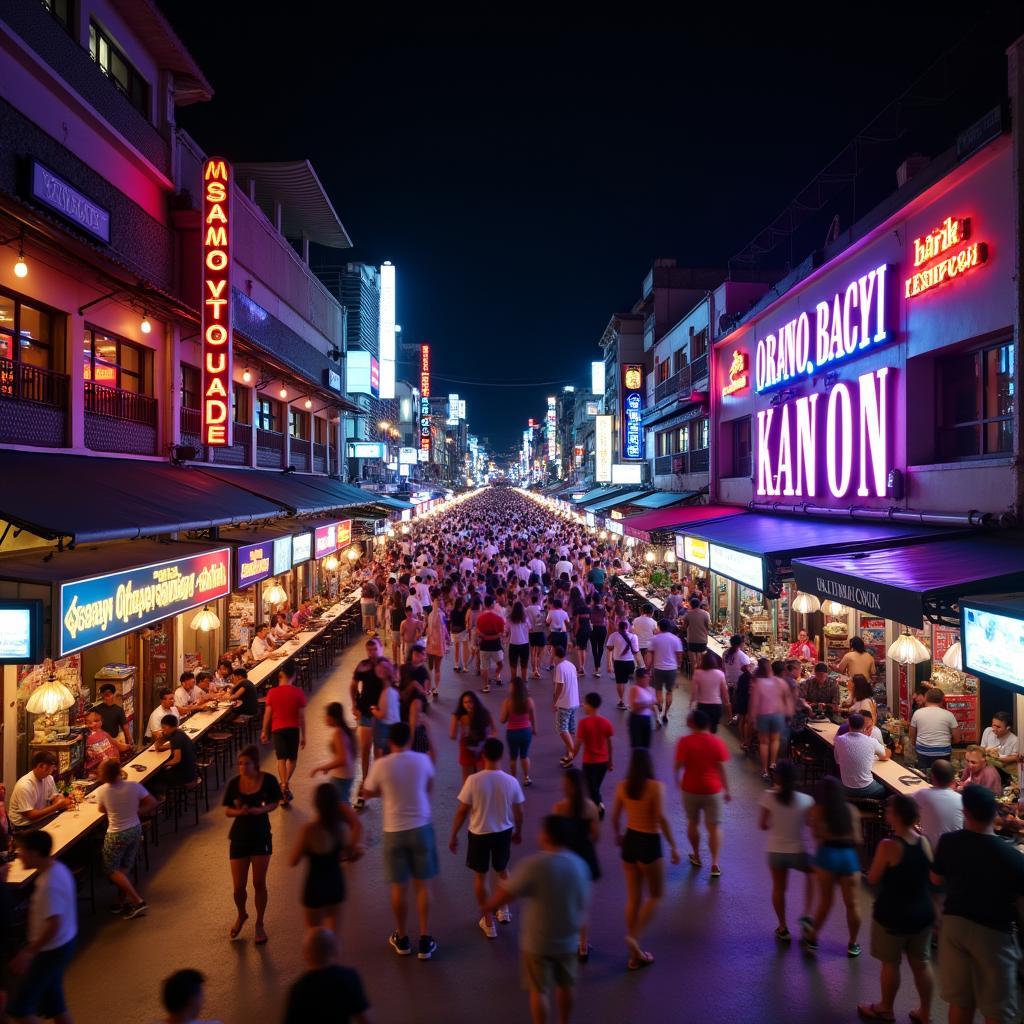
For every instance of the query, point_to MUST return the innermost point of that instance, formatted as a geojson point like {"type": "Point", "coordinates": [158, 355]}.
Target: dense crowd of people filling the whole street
{"type": "Point", "coordinates": [516, 595]}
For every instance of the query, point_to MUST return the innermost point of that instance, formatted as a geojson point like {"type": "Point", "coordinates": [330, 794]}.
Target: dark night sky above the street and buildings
{"type": "Point", "coordinates": [523, 183]}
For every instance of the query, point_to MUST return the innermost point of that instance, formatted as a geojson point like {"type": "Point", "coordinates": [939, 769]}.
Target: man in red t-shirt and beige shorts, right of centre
{"type": "Point", "coordinates": [702, 758]}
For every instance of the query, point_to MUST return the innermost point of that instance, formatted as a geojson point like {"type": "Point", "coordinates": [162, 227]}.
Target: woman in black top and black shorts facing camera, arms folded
{"type": "Point", "coordinates": [249, 799]}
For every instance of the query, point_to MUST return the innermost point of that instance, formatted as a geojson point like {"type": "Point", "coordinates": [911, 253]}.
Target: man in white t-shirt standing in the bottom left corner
{"type": "Point", "coordinates": [53, 927]}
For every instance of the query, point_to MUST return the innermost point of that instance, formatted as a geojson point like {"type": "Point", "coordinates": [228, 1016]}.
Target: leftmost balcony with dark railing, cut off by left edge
{"type": "Point", "coordinates": [33, 406]}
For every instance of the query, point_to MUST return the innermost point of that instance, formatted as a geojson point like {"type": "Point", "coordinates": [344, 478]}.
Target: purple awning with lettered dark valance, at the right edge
{"type": "Point", "coordinates": [912, 584]}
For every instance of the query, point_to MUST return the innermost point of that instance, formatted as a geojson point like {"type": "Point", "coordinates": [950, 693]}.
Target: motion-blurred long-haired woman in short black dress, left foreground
{"type": "Point", "coordinates": [333, 836]}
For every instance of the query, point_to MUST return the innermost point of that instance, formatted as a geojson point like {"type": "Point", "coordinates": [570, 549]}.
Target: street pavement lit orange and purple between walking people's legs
{"type": "Point", "coordinates": [716, 960]}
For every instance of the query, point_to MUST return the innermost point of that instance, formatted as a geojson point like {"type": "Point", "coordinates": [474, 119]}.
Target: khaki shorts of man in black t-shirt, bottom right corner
{"type": "Point", "coordinates": [978, 967]}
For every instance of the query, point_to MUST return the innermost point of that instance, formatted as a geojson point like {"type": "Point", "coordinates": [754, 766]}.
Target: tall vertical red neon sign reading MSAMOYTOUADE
{"type": "Point", "coordinates": [217, 323]}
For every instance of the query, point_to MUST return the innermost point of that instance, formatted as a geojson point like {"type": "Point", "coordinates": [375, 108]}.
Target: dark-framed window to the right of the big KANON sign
{"type": "Point", "coordinates": [976, 403]}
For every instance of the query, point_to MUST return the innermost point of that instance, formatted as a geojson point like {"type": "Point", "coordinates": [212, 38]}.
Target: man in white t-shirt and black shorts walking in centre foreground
{"type": "Point", "coordinates": [493, 801]}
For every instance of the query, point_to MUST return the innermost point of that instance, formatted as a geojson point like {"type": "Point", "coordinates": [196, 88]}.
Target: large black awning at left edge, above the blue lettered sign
{"type": "Point", "coordinates": [98, 499]}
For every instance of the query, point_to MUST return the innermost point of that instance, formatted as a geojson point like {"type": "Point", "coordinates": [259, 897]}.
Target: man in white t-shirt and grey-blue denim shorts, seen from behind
{"type": "Point", "coordinates": [403, 781]}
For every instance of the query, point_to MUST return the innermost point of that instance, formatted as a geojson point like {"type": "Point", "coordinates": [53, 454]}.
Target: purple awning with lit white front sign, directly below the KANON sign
{"type": "Point", "coordinates": [756, 549]}
